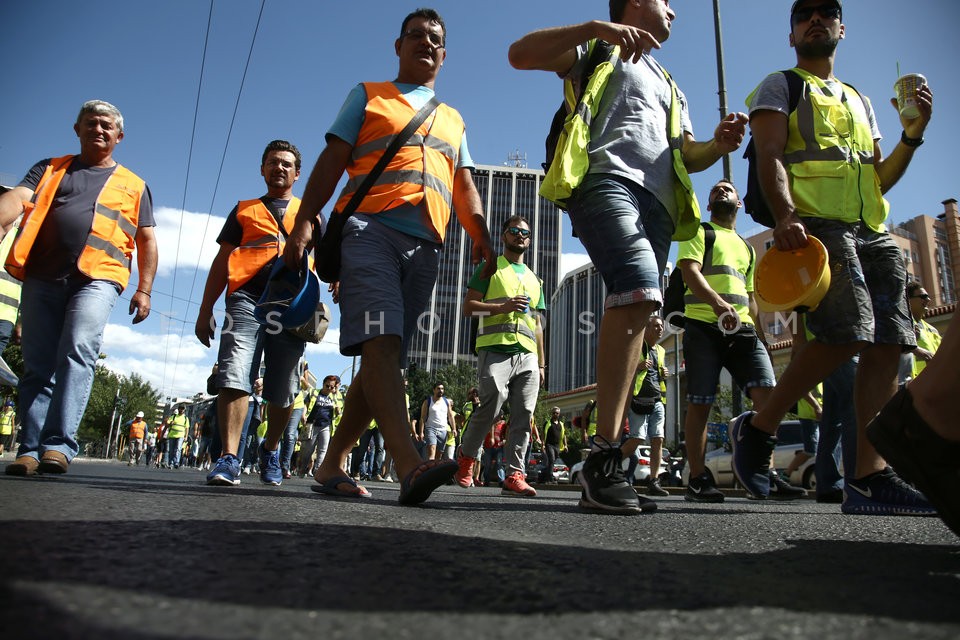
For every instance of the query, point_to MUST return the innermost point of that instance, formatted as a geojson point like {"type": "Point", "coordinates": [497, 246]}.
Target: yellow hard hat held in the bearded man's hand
{"type": "Point", "coordinates": [794, 280]}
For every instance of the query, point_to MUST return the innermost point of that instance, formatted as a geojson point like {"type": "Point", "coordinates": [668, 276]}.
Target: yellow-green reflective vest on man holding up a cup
{"type": "Point", "coordinates": [829, 157]}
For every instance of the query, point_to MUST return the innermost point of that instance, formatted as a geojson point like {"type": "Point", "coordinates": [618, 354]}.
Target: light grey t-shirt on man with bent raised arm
{"type": "Point", "coordinates": [629, 134]}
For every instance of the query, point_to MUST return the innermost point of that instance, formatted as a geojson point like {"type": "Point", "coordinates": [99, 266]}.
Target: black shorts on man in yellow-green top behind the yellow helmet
{"type": "Point", "coordinates": [707, 350]}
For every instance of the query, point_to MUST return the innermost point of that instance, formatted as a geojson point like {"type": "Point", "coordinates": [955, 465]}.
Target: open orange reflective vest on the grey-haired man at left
{"type": "Point", "coordinates": [108, 251]}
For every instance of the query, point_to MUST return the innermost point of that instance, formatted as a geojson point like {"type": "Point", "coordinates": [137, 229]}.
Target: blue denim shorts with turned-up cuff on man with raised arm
{"type": "Point", "coordinates": [626, 232]}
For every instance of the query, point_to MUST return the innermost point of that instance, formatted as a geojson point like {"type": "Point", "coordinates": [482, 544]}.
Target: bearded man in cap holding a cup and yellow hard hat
{"type": "Point", "coordinates": [823, 174]}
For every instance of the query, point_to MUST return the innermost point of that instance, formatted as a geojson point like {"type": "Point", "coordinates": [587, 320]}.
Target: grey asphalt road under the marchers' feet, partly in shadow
{"type": "Point", "coordinates": [110, 551]}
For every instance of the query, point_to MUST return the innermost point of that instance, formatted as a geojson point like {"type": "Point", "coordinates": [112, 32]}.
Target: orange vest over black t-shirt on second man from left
{"type": "Point", "coordinates": [261, 241]}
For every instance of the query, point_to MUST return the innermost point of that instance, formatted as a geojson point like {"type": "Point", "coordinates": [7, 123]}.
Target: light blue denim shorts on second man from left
{"type": "Point", "coordinates": [244, 342]}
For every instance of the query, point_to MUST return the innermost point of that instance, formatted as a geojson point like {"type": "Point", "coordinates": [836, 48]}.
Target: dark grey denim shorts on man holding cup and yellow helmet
{"type": "Point", "coordinates": [866, 300]}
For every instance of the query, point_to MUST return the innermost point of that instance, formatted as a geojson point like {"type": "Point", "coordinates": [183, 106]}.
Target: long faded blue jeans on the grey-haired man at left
{"type": "Point", "coordinates": [58, 372]}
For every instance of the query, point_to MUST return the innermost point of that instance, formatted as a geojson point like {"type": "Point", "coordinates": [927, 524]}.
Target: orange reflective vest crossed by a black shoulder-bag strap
{"type": "Point", "coordinates": [422, 171]}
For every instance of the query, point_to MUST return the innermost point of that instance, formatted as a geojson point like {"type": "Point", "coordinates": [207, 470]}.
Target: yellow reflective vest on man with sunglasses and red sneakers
{"type": "Point", "coordinates": [514, 327]}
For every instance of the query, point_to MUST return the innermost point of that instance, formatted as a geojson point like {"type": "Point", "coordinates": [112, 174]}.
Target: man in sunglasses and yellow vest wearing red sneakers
{"type": "Point", "coordinates": [511, 357]}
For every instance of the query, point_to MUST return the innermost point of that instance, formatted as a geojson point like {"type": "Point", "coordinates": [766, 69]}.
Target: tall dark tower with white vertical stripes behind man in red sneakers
{"type": "Point", "coordinates": [444, 335]}
